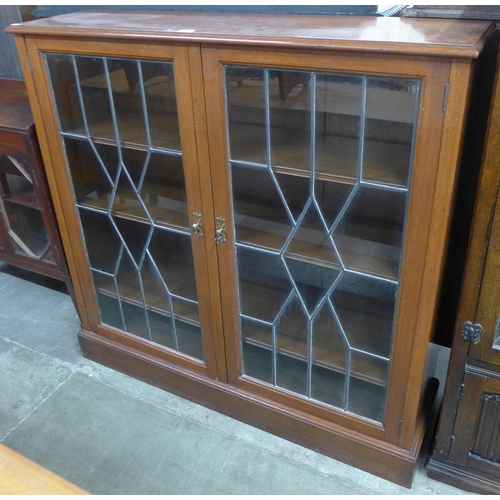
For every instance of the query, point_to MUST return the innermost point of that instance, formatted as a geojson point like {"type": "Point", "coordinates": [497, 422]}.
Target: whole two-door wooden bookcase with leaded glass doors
{"type": "Point", "coordinates": [255, 210]}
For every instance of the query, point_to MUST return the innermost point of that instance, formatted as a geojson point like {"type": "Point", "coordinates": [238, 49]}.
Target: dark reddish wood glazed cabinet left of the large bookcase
{"type": "Point", "coordinates": [29, 236]}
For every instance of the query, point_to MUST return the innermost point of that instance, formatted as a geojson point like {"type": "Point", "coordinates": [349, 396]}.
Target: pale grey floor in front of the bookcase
{"type": "Point", "coordinates": [111, 434]}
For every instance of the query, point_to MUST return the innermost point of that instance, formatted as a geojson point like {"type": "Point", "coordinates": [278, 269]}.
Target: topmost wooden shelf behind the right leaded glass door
{"type": "Point", "coordinates": [336, 157]}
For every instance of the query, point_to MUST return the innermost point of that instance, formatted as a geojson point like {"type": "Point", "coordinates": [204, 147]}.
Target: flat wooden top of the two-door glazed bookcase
{"type": "Point", "coordinates": [434, 37]}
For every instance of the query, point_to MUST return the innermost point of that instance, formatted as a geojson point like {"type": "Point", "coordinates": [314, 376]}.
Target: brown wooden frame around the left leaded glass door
{"type": "Point", "coordinates": [62, 194]}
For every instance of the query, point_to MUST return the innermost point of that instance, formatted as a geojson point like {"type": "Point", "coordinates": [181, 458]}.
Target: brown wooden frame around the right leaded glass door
{"type": "Point", "coordinates": [408, 367]}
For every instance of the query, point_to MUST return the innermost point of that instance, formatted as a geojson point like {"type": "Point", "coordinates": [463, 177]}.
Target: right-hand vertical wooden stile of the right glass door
{"type": "Point", "coordinates": [409, 351]}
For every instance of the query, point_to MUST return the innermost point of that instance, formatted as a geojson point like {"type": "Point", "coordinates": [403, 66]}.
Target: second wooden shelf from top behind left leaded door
{"type": "Point", "coordinates": [165, 204]}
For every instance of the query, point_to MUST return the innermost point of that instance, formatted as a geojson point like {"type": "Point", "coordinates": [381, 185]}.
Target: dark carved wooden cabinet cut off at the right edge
{"type": "Point", "coordinates": [467, 448]}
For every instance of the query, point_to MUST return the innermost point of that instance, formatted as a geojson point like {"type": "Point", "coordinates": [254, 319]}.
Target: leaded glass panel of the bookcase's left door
{"type": "Point", "coordinates": [124, 132]}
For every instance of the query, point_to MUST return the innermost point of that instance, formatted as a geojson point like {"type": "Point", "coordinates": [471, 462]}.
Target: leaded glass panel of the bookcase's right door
{"type": "Point", "coordinates": [319, 171]}
